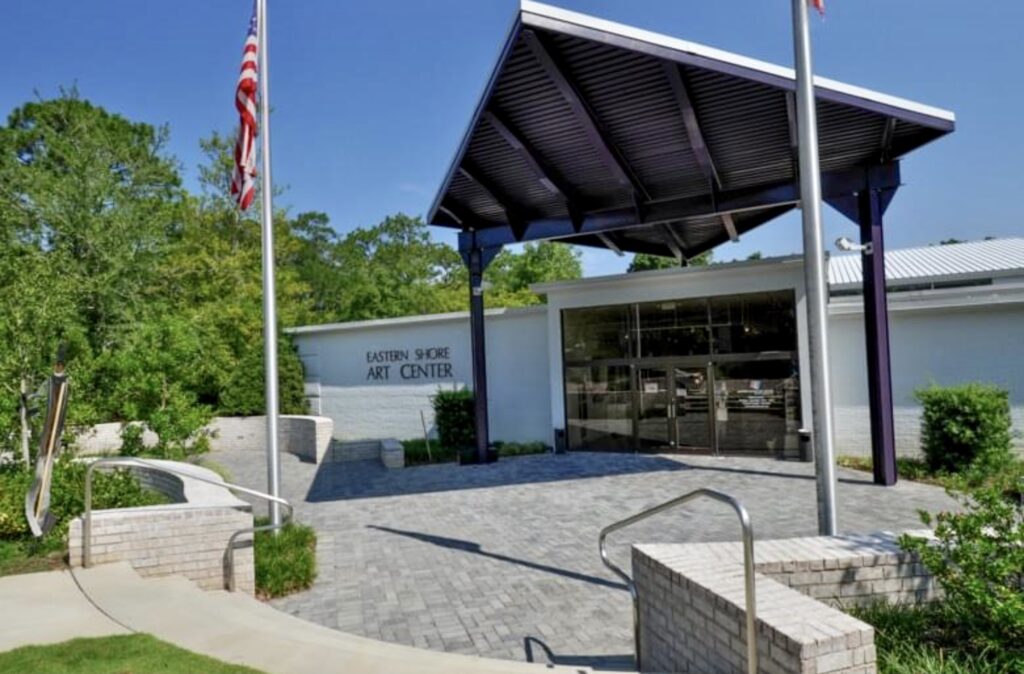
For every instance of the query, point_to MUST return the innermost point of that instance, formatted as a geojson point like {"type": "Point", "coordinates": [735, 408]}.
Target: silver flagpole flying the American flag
{"type": "Point", "coordinates": [270, 297]}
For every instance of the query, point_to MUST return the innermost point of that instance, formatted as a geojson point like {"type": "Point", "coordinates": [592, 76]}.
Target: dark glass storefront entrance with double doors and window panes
{"type": "Point", "coordinates": [694, 374]}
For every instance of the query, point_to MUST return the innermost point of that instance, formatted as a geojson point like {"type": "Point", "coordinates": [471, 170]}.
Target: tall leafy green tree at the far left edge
{"type": "Point", "coordinates": [88, 200]}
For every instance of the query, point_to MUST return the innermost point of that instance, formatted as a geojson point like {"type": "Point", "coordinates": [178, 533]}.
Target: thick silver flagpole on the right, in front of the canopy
{"type": "Point", "coordinates": [815, 272]}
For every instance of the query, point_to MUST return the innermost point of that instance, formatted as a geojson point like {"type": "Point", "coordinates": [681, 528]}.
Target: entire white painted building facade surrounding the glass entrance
{"type": "Point", "coordinates": [943, 336]}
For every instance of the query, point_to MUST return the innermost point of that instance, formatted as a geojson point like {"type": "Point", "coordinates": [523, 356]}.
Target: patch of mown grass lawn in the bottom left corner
{"type": "Point", "coordinates": [127, 654]}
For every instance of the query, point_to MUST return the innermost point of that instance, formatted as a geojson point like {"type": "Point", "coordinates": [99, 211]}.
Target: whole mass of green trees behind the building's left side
{"type": "Point", "coordinates": [157, 292]}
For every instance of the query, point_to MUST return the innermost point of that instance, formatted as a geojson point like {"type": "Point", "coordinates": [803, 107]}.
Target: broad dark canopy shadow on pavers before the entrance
{"type": "Point", "coordinates": [366, 480]}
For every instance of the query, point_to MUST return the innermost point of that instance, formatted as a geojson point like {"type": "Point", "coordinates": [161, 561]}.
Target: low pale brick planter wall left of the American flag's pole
{"type": "Point", "coordinates": [187, 538]}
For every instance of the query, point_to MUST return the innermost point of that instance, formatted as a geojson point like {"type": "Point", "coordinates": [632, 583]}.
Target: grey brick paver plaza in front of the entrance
{"type": "Point", "coordinates": [501, 561]}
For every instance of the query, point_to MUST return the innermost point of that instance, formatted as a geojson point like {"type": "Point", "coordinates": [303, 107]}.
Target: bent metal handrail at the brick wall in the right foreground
{"type": "Point", "coordinates": [745, 523]}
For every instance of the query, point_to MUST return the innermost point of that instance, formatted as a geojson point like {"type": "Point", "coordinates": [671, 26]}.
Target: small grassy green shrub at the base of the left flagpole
{"type": "Point", "coordinates": [286, 563]}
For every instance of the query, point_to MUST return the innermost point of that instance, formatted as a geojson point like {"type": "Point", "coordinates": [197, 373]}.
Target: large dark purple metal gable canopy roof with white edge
{"type": "Point", "coordinates": [601, 135]}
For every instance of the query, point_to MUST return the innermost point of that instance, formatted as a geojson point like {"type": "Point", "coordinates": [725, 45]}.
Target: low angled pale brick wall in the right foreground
{"type": "Point", "coordinates": [693, 603]}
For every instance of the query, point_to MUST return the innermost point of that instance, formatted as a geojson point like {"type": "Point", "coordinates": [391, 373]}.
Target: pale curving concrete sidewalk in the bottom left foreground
{"type": "Point", "coordinates": [50, 608]}
